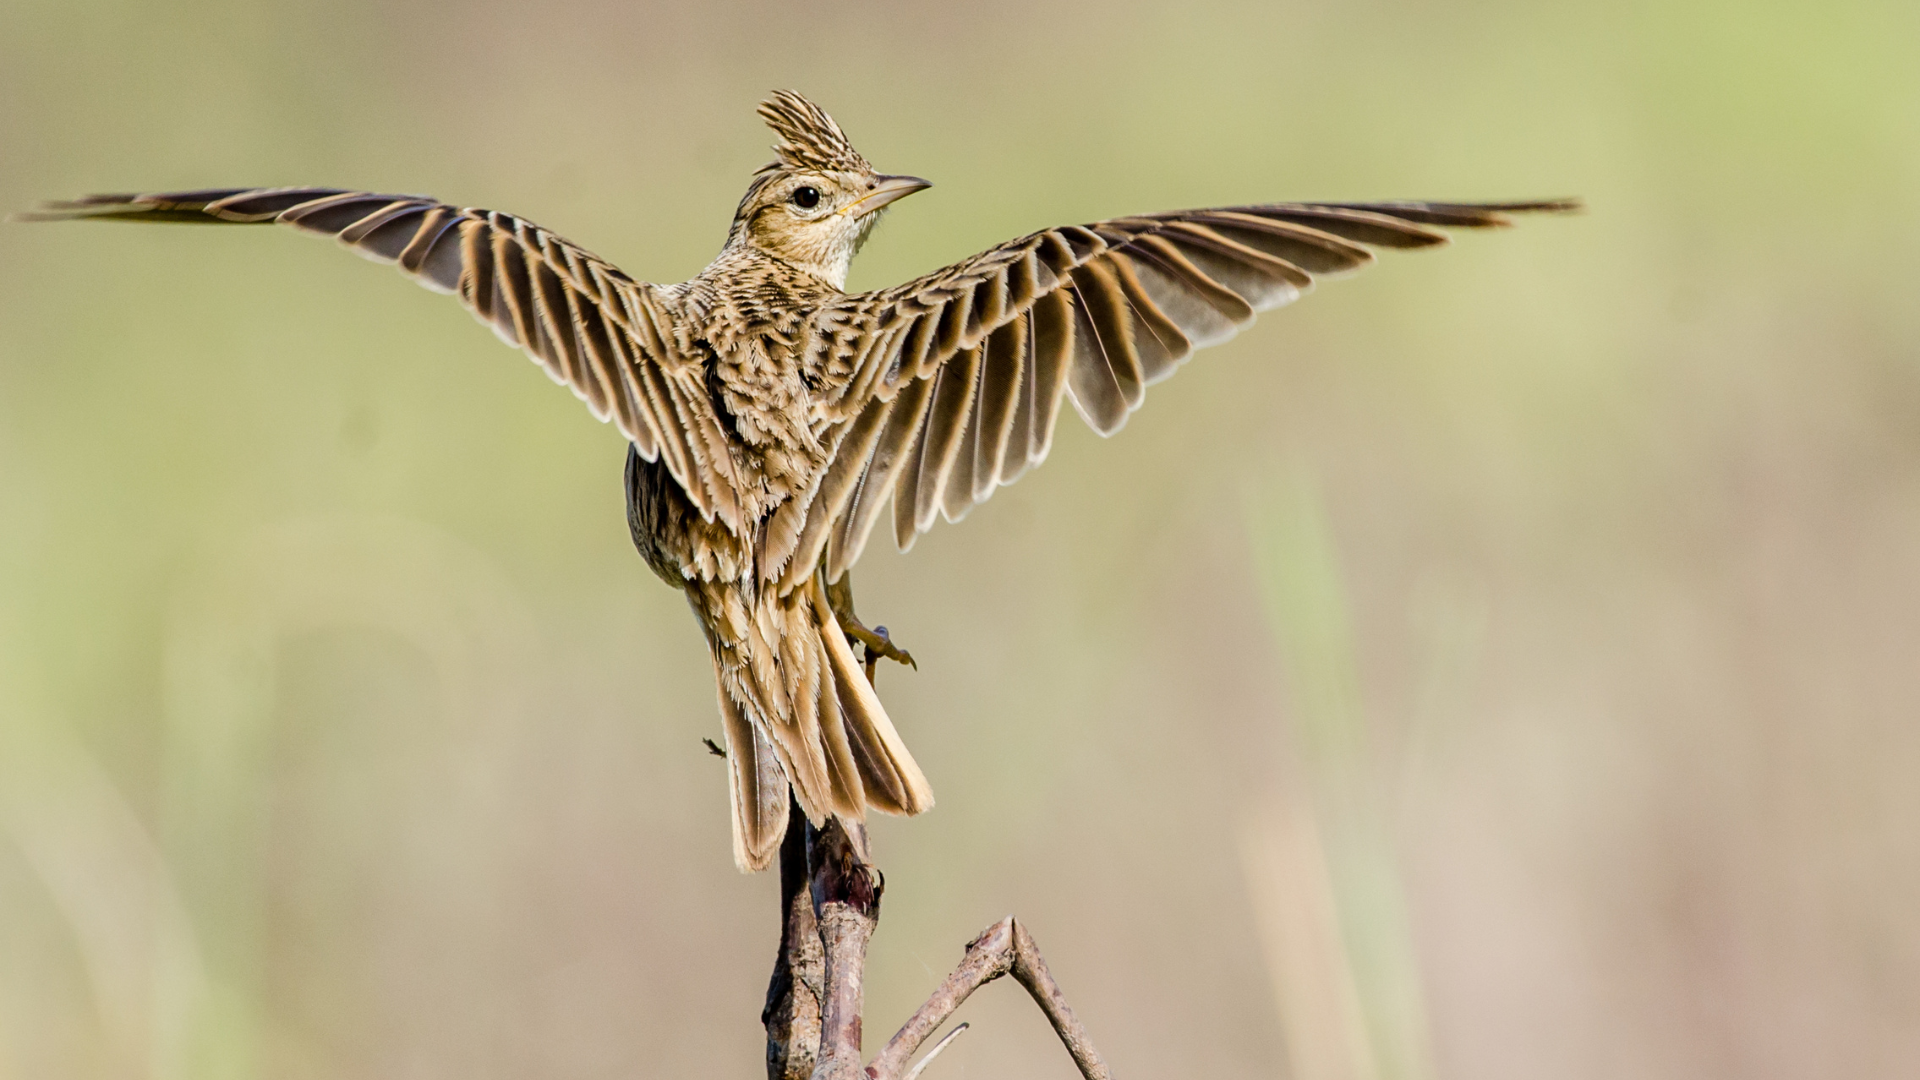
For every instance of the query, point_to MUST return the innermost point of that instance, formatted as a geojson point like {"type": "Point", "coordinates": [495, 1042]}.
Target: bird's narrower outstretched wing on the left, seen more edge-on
{"type": "Point", "coordinates": [592, 328]}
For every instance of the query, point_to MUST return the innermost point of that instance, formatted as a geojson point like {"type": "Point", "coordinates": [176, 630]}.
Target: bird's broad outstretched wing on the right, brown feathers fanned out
{"type": "Point", "coordinates": [951, 383]}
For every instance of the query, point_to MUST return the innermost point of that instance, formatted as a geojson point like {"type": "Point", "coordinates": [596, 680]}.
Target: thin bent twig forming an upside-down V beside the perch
{"type": "Point", "coordinates": [1003, 948]}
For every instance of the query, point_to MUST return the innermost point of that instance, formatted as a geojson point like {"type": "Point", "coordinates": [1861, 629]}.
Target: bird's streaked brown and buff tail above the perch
{"type": "Point", "coordinates": [798, 708]}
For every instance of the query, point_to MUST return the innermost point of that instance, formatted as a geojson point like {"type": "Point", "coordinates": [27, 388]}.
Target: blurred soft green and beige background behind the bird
{"type": "Point", "coordinates": [1500, 666]}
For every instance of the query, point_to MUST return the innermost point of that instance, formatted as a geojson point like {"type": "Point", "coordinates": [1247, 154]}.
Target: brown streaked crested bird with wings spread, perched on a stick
{"type": "Point", "coordinates": [773, 416]}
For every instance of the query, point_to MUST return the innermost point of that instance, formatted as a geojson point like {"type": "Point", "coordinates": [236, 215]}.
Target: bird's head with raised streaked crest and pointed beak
{"type": "Point", "coordinates": [817, 203]}
